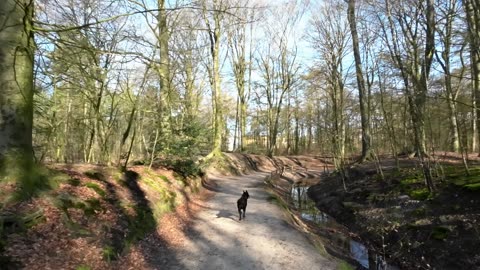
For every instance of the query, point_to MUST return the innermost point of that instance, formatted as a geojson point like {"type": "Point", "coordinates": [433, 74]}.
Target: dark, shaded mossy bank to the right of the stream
{"type": "Point", "coordinates": [399, 218]}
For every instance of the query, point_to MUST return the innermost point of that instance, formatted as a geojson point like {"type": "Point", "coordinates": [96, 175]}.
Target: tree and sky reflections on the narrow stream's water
{"type": "Point", "coordinates": [355, 250]}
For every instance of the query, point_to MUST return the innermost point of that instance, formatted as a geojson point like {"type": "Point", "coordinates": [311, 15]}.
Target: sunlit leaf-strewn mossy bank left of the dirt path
{"type": "Point", "coordinates": [95, 217]}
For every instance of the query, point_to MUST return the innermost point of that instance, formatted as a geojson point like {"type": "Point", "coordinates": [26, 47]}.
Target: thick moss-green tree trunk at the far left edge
{"type": "Point", "coordinates": [16, 80]}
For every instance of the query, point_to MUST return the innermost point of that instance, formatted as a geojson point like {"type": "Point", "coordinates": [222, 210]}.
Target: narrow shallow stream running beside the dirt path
{"type": "Point", "coordinates": [337, 241]}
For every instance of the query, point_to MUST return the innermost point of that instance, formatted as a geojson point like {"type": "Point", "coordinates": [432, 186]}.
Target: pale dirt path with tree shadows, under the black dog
{"type": "Point", "coordinates": [264, 240]}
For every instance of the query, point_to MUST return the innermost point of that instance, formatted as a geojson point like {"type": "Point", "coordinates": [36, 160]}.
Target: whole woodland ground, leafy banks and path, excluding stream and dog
{"type": "Point", "coordinates": [95, 217]}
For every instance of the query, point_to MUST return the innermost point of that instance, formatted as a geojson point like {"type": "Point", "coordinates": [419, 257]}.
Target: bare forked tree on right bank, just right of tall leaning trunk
{"type": "Point", "coordinates": [411, 43]}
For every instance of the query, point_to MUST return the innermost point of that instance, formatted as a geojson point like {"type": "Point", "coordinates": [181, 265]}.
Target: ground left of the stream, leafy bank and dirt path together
{"type": "Point", "coordinates": [98, 218]}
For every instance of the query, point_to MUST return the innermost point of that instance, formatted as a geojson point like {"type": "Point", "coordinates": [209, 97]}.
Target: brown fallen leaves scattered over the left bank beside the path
{"type": "Point", "coordinates": [69, 239]}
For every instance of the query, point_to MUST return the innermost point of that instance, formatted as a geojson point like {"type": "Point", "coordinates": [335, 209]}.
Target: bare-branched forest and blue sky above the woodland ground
{"type": "Point", "coordinates": [118, 83]}
